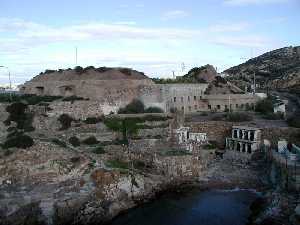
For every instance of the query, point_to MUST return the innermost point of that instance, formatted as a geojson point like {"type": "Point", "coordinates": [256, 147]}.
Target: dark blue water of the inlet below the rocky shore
{"type": "Point", "coordinates": [215, 207]}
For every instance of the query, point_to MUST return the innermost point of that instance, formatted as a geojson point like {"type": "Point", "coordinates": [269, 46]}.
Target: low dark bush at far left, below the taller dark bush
{"type": "Point", "coordinates": [18, 140]}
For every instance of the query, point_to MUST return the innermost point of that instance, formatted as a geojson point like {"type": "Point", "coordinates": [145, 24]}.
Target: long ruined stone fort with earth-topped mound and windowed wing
{"type": "Point", "coordinates": [113, 88]}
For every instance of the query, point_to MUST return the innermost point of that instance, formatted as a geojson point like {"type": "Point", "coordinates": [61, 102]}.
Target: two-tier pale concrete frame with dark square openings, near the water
{"type": "Point", "coordinates": [244, 139]}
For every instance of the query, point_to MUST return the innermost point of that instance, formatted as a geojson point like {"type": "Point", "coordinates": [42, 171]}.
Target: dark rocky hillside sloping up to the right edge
{"type": "Point", "coordinates": [277, 70]}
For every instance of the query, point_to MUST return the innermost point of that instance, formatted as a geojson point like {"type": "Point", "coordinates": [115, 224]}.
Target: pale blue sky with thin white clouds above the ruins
{"type": "Point", "coordinates": [156, 37]}
